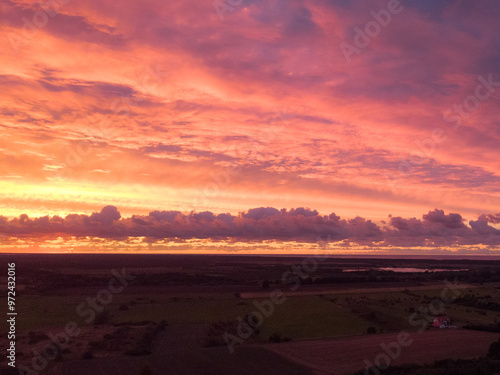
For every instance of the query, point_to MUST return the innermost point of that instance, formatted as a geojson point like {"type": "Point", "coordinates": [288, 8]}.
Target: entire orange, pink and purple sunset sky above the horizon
{"type": "Point", "coordinates": [250, 126]}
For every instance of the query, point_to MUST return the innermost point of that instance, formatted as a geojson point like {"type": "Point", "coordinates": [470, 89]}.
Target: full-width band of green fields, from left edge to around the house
{"type": "Point", "coordinates": [299, 317]}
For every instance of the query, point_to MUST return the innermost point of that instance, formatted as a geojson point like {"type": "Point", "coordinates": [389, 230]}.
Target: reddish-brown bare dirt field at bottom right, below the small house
{"type": "Point", "coordinates": [348, 355]}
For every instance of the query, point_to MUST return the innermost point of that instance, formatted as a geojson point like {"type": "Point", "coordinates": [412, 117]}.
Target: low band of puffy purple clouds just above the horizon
{"type": "Point", "coordinates": [257, 225]}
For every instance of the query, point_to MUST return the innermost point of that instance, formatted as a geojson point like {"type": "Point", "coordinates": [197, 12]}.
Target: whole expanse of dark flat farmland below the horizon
{"type": "Point", "coordinates": [173, 311]}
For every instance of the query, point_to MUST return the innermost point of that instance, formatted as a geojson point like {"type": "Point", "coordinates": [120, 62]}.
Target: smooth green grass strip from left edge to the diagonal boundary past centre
{"type": "Point", "coordinates": [298, 318]}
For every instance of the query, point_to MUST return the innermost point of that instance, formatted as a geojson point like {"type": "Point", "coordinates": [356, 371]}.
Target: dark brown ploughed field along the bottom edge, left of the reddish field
{"type": "Point", "coordinates": [177, 352]}
